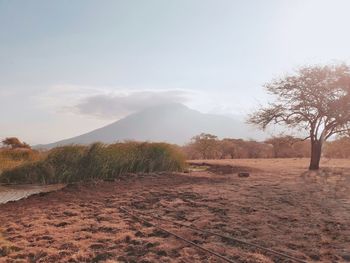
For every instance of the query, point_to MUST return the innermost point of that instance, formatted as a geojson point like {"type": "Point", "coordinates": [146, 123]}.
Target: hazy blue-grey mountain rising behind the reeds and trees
{"type": "Point", "coordinates": [172, 123]}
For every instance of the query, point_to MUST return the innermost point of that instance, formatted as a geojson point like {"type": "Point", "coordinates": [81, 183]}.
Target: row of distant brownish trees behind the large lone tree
{"type": "Point", "coordinates": [208, 146]}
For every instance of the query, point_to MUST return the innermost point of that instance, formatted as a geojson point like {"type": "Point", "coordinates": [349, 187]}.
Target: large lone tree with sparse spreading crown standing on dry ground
{"type": "Point", "coordinates": [316, 98]}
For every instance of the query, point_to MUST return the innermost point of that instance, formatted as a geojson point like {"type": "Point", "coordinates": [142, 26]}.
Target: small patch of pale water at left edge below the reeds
{"type": "Point", "coordinates": [10, 193]}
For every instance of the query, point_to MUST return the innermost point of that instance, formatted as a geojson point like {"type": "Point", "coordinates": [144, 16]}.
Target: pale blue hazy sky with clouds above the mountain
{"type": "Point", "coordinates": [68, 67]}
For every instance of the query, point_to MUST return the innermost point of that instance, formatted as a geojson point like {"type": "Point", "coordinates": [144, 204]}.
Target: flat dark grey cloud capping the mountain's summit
{"type": "Point", "coordinates": [112, 105]}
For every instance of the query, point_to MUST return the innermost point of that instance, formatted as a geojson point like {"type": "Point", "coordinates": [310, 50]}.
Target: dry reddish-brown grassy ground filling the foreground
{"type": "Point", "coordinates": [279, 206]}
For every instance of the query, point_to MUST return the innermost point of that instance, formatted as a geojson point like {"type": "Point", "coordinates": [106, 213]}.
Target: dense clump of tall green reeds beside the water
{"type": "Point", "coordinates": [85, 163]}
